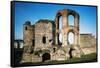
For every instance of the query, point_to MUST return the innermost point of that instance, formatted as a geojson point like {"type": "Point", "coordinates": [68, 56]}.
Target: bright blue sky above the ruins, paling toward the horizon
{"type": "Point", "coordinates": [35, 11]}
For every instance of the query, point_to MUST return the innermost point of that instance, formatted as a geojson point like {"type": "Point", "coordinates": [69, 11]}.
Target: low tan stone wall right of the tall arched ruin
{"type": "Point", "coordinates": [88, 43]}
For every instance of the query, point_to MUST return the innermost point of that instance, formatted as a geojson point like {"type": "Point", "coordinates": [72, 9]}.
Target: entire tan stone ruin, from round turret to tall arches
{"type": "Point", "coordinates": [41, 40]}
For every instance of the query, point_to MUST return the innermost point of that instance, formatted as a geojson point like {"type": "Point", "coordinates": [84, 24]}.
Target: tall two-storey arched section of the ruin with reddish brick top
{"type": "Point", "coordinates": [66, 28]}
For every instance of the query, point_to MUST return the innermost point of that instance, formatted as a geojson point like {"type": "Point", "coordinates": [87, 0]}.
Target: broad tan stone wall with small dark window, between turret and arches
{"type": "Point", "coordinates": [44, 31]}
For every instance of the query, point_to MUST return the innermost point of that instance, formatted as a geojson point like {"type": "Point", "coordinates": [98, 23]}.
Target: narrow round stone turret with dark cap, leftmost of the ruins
{"type": "Point", "coordinates": [28, 36]}
